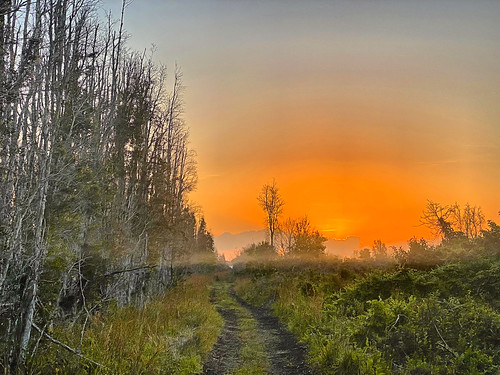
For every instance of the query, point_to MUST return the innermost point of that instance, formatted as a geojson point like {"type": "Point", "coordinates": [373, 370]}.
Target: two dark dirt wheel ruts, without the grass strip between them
{"type": "Point", "coordinates": [286, 355]}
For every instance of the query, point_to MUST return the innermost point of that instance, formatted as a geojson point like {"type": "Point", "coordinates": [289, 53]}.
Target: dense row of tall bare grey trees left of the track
{"type": "Point", "coordinates": [95, 169]}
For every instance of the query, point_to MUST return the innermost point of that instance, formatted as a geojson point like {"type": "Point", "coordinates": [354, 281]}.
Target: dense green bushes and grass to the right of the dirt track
{"type": "Point", "coordinates": [442, 321]}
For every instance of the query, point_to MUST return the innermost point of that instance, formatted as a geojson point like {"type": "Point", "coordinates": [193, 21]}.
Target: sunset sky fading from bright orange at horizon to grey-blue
{"type": "Point", "coordinates": [360, 110]}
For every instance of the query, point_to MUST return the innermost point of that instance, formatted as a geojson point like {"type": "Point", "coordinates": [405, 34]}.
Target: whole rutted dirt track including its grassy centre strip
{"type": "Point", "coordinates": [253, 341]}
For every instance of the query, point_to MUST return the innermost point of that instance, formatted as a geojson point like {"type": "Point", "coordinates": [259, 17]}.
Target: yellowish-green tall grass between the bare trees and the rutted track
{"type": "Point", "coordinates": [170, 335]}
